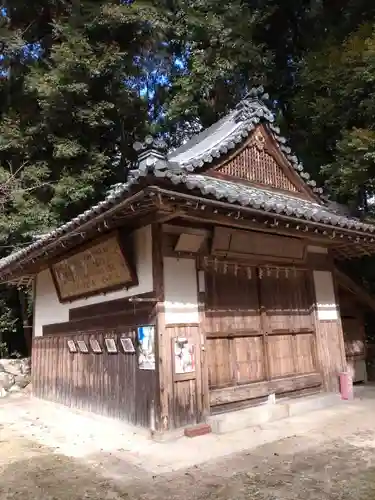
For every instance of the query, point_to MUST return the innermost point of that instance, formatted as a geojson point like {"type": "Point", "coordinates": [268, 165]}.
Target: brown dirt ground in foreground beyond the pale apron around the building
{"type": "Point", "coordinates": [335, 460]}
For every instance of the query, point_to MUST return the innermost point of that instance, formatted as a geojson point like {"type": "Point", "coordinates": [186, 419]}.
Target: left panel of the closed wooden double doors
{"type": "Point", "coordinates": [233, 328]}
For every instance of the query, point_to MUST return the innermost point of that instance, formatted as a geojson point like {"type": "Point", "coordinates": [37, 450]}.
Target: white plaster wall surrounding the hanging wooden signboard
{"type": "Point", "coordinates": [49, 310]}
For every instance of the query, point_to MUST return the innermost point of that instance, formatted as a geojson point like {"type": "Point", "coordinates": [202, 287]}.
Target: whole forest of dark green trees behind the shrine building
{"type": "Point", "coordinates": [82, 80]}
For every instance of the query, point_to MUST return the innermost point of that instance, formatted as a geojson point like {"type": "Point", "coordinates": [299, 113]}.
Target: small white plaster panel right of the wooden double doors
{"type": "Point", "coordinates": [325, 295]}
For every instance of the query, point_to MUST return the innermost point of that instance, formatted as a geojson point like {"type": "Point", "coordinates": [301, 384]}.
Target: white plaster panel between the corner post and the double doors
{"type": "Point", "coordinates": [181, 291]}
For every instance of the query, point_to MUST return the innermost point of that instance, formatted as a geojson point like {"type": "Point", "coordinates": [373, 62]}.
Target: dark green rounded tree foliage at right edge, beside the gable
{"type": "Point", "coordinates": [334, 107]}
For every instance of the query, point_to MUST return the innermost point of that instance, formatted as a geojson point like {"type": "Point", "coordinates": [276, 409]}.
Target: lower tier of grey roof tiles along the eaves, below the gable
{"type": "Point", "coordinates": [235, 193]}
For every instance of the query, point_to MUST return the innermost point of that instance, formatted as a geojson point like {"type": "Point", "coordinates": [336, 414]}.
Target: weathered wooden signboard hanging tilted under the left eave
{"type": "Point", "coordinates": [96, 269]}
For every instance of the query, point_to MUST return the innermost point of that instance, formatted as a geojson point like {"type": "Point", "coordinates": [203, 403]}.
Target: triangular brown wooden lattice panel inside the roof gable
{"type": "Point", "coordinates": [260, 162]}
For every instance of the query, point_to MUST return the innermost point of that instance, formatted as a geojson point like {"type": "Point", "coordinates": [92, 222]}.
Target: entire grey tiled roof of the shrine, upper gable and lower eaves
{"type": "Point", "coordinates": [181, 168]}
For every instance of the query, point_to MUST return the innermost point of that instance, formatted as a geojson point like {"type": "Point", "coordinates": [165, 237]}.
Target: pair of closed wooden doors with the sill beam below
{"type": "Point", "coordinates": [259, 331]}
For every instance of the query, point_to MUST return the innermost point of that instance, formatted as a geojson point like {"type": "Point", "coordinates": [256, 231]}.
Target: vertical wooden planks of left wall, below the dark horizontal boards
{"type": "Point", "coordinates": [107, 384]}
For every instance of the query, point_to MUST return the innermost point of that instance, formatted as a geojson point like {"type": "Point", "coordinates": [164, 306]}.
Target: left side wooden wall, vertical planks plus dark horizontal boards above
{"type": "Point", "coordinates": [107, 384]}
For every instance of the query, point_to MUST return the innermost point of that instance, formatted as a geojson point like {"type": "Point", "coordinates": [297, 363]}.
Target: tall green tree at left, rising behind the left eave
{"type": "Point", "coordinates": [72, 105]}
